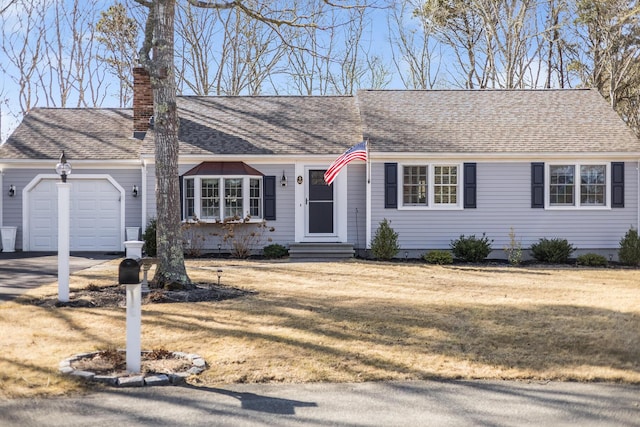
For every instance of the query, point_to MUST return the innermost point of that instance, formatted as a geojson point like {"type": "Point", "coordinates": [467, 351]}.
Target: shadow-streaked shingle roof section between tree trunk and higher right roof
{"type": "Point", "coordinates": [278, 125]}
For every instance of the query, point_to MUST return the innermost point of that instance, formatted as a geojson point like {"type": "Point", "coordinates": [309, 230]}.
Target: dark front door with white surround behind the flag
{"type": "Point", "coordinates": [320, 203]}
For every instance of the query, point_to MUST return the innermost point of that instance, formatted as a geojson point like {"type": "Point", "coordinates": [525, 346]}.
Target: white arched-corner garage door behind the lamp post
{"type": "Point", "coordinates": [95, 216]}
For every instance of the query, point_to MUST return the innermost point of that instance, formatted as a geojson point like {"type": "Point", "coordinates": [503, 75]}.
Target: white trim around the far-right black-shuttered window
{"type": "Point", "coordinates": [577, 185]}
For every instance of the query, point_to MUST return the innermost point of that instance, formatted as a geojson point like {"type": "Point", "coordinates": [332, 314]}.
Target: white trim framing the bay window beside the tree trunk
{"type": "Point", "coordinates": [246, 197]}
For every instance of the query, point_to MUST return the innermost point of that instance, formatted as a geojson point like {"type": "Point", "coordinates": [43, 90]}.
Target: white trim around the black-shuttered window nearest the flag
{"type": "Point", "coordinates": [431, 205]}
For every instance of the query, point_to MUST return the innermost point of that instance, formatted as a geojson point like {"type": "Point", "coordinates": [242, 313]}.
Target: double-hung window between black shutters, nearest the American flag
{"type": "Point", "coordinates": [430, 186]}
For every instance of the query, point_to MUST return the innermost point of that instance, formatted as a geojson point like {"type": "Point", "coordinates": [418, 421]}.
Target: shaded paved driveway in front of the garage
{"type": "Point", "coordinates": [21, 271]}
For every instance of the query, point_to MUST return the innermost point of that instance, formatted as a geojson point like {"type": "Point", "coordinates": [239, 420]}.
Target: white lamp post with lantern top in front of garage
{"type": "Point", "coordinates": [63, 168]}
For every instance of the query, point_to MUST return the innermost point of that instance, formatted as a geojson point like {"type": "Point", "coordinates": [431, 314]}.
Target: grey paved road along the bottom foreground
{"type": "Point", "coordinates": [421, 403]}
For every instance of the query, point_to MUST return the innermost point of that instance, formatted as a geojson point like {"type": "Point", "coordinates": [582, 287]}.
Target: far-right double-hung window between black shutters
{"type": "Point", "coordinates": [578, 185]}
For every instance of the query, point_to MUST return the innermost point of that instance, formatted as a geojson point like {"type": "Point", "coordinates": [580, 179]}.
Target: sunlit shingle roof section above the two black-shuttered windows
{"type": "Point", "coordinates": [493, 121]}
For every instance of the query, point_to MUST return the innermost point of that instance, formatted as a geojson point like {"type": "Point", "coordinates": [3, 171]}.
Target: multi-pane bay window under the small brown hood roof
{"type": "Point", "coordinates": [216, 198]}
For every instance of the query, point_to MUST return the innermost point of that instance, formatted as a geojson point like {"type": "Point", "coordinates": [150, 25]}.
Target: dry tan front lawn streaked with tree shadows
{"type": "Point", "coordinates": [352, 321]}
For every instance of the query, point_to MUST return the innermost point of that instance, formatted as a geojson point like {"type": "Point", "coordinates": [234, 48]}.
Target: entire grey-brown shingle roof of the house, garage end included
{"type": "Point", "coordinates": [395, 121]}
